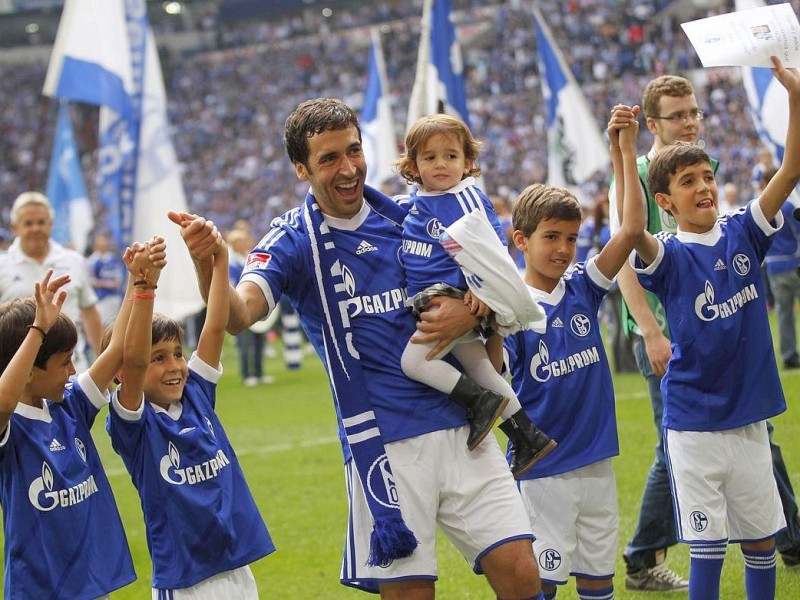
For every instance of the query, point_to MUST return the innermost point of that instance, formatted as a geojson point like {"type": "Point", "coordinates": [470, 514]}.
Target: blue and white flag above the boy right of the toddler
{"type": "Point", "coordinates": [576, 149]}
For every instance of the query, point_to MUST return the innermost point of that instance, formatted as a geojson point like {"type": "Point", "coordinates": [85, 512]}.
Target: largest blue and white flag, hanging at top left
{"type": "Point", "coordinates": [105, 54]}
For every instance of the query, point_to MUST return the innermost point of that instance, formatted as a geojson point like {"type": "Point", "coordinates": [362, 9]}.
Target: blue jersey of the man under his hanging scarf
{"type": "Point", "coordinates": [369, 249]}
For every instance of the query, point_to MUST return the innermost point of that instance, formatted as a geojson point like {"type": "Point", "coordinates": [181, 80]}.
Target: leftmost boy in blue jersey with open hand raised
{"type": "Point", "coordinates": [63, 534]}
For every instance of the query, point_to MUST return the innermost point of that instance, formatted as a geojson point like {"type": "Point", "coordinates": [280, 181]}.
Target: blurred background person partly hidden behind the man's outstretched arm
{"type": "Point", "coordinates": [251, 342]}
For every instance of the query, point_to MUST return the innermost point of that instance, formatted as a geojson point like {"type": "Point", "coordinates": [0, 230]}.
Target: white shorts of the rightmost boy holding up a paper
{"type": "Point", "coordinates": [722, 484]}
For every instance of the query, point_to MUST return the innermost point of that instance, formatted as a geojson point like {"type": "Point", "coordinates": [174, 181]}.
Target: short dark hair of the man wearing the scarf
{"type": "Point", "coordinates": [311, 118]}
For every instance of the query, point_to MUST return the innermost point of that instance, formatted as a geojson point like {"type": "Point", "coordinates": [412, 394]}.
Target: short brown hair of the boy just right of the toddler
{"type": "Point", "coordinates": [539, 202]}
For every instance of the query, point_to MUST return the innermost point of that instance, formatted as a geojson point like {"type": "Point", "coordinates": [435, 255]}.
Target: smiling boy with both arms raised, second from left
{"type": "Point", "coordinates": [202, 524]}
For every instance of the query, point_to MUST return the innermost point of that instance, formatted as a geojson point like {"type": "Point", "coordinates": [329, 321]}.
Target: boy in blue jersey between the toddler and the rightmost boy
{"type": "Point", "coordinates": [563, 378]}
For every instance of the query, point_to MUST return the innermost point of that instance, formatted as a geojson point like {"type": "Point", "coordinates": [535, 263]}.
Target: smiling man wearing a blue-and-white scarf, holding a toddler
{"type": "Point", "coordinates": [336, 259]}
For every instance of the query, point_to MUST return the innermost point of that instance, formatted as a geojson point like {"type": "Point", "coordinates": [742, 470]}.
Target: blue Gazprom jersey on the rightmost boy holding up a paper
{"type": "Point", "coordinates": [723, 372]}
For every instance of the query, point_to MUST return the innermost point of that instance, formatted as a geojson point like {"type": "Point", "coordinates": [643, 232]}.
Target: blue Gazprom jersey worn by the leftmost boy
{"type": "Point", "coordinates": [63, 533]}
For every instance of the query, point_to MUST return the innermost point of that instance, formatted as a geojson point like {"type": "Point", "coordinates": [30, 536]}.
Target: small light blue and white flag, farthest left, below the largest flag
{"type": "Point", "coordinates": [66, 188]}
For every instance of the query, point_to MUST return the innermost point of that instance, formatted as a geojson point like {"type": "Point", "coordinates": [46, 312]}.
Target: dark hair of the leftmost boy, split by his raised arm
{"type": "Point", "coordinates": [16, 317]}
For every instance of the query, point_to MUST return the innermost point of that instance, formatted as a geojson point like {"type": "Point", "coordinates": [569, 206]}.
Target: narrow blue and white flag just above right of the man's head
{"type": "Point", "coordinates": [377, 124]}
